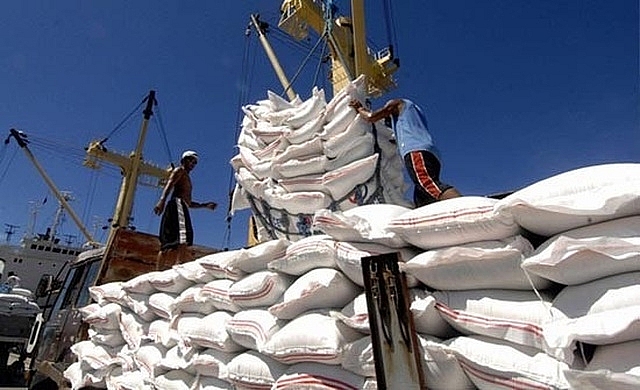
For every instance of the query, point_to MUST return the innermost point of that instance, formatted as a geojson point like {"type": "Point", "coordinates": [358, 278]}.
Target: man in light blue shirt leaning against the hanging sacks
{"type": "Point", "coordinates": [416, 146]}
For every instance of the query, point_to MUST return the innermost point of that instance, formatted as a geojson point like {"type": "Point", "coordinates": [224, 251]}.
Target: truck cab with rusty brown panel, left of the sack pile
{"type": "Point", "coordinates": [127, 254]}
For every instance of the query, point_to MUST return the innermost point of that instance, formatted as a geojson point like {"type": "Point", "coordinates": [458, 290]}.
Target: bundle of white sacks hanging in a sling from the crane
{"type": "Point", "coordinates": [297, 157]}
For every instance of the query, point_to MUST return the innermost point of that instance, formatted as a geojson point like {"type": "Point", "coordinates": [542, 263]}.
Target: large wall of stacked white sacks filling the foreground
{"type": "Point", "coordinates": [491, 311]}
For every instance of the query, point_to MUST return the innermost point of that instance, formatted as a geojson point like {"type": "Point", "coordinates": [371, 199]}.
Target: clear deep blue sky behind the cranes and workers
{"type": "Point", "coordinates": [515, 91]}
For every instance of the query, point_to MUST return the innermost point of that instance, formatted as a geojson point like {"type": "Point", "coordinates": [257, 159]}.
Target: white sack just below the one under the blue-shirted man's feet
{"type": "Point", "coordinates": [476, 265]}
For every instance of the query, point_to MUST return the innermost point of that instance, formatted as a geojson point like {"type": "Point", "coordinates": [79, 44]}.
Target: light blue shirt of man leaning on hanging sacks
{"type": "Point", "coordinates": [411, 130]}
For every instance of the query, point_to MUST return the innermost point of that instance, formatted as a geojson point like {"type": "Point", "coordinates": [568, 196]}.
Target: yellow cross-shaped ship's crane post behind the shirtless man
{"type": "Point", "coordinates": [132, 168]}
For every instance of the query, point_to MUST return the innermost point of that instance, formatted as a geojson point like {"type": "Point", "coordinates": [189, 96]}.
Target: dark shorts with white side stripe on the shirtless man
{"type": "Point", "coordinates": [175, 226]}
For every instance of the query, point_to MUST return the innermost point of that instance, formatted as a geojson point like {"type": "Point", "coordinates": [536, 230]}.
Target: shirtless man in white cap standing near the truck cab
{"type": "Point", "coordinates": [176, 232]}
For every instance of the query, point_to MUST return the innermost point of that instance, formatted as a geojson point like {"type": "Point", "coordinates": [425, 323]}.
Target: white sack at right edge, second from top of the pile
{"type": "Point", "coordinates": [588, 253]}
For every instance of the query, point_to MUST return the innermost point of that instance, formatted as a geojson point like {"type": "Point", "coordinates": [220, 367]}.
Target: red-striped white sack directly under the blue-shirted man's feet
{"type": "Point", "coordinates": [453, 222]}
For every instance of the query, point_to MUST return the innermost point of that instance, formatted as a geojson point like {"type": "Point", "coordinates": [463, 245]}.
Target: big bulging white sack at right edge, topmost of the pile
{"type": "Point", "coordinates": [576, 198]}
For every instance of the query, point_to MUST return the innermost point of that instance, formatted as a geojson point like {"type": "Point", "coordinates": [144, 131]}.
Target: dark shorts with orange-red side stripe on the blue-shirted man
{"type": "Point", "coordinates": [424, 169]}
